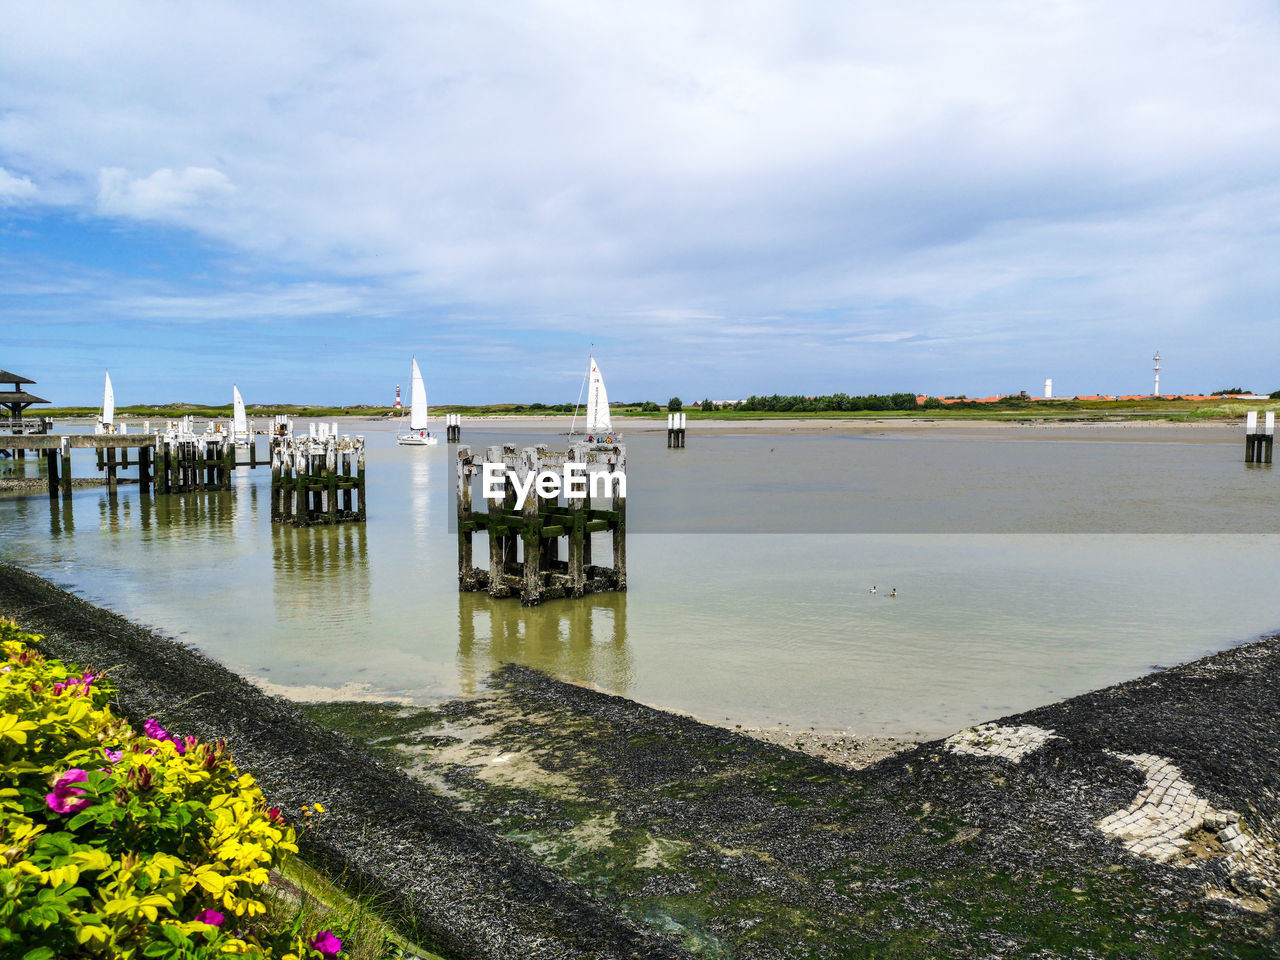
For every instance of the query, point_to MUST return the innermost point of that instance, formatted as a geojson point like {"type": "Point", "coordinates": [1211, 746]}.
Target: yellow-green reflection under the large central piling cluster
{"type": "Point", "coordinates": [583, 639]}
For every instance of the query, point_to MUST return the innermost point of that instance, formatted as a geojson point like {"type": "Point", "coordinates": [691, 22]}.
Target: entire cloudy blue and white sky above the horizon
{"type": "Point", "coordinates": [725, 199]}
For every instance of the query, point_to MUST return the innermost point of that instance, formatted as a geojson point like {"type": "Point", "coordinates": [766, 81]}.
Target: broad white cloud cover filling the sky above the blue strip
{"type": "Point", "coordinates": [994, 173]}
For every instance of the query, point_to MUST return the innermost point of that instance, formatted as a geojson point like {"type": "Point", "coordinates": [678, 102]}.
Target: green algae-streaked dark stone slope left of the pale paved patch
{"type": "Point", "coordinates": [749, 851]}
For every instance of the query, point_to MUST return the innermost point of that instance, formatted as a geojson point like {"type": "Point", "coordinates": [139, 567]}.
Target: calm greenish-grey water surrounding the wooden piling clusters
{"type": "Point", "coordinates": [753, 629]}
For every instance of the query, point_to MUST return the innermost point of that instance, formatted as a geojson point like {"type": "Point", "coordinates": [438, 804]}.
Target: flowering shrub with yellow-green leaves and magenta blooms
{"type": "Point", "coordinates": [124, 845]}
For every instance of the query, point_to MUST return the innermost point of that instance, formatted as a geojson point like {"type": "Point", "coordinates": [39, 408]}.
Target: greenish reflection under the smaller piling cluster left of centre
{"type": "Point", "coordinates": [321, 575]}
